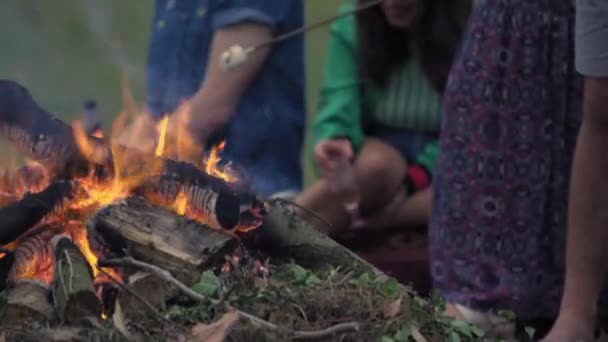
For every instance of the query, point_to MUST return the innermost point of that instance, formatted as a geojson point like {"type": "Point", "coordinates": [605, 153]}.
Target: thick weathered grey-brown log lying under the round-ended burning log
{"type": "Point", "coordinates": [159, 236]}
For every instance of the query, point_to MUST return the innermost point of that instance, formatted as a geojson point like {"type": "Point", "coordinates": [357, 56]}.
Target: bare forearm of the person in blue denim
{"type": "Point", "coordinates": [221, 90]}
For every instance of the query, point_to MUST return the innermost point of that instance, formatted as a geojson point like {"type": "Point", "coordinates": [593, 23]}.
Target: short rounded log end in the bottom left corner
{"type": "Point", "coordinates": [28, 300]}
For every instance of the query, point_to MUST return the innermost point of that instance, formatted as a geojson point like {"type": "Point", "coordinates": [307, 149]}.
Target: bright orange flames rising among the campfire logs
{"type": "Point", "coordinates": [146, 143]}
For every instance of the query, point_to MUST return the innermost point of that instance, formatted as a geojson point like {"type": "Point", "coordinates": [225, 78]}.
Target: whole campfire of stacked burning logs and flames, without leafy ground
{"type": "Point", "coordinates": [84, 198]}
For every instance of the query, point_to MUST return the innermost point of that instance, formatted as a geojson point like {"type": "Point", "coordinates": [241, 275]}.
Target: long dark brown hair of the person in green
{"type": "Point", "coordinates": [436, 33]}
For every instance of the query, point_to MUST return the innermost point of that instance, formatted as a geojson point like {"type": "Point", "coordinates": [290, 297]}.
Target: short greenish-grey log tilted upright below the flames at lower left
{"type": "Point", "coordinates": [73, 292]}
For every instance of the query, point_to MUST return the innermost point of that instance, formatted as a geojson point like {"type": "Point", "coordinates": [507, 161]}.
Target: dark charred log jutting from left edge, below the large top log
{"type": "Point", "coordinates": [16, 218]}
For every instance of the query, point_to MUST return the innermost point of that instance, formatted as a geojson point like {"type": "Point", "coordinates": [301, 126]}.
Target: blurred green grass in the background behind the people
{"type": "Point", "coordinates": [67, 51]}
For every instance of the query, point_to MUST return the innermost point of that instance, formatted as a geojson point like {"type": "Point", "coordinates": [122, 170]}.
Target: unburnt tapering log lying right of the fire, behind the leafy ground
{"type": "Point", "coordinates": [285, 234]}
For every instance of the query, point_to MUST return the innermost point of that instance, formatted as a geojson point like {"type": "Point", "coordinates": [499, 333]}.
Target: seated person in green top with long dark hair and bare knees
{"type": "Point", "coordinates": [375, 133]}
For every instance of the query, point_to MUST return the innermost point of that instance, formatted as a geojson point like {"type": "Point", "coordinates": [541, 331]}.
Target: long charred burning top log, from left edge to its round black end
{"type": "Point", "coordinates": [43, 137]}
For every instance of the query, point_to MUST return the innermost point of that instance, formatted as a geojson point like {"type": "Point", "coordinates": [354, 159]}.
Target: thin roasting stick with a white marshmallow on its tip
{"type": "Point", "coordinates": [236, 55]}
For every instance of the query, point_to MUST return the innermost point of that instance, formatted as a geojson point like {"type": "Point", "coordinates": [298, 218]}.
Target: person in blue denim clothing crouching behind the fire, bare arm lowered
{"type": "Point", "coordinates": [258, 107]}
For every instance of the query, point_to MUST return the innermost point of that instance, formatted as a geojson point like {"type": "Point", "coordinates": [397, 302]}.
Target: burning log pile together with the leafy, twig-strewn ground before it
{"type": "Point", "coordinates": [103, 241]}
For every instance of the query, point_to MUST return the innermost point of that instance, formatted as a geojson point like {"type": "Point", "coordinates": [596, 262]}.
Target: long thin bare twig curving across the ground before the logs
{"type": "Point", "coordinates": [166, 275]}
